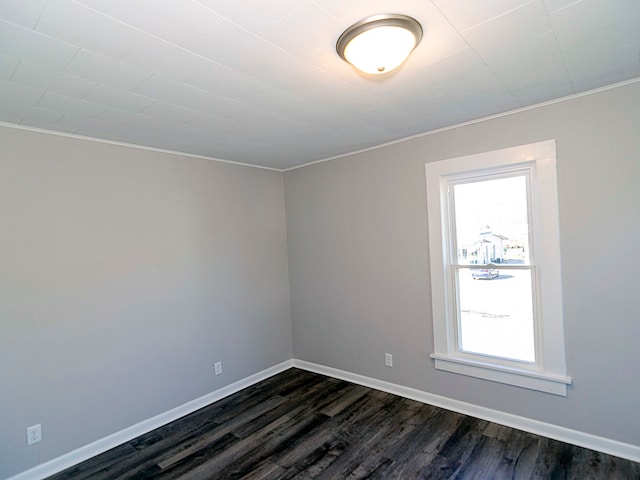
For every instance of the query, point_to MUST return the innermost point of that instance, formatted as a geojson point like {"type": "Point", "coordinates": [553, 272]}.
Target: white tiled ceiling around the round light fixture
{"type": "Point", "coordinates": [259, 82]}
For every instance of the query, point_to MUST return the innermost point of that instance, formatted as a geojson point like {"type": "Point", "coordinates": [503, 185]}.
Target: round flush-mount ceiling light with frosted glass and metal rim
{"type": "Point", "coordinates": [380, 43]}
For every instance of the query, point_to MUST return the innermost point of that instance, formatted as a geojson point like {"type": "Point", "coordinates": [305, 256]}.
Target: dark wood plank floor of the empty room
{"type": "Point", "coordinates": [301, 425]}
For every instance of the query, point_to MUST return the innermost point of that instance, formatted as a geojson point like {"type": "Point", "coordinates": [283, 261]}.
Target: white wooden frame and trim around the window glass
{"type": "Point", "coordinates": [548, 373]}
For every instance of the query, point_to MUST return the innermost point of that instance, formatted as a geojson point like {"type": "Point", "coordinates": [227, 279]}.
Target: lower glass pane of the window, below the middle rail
{"type": "Point", "coordinates": [496, 313]}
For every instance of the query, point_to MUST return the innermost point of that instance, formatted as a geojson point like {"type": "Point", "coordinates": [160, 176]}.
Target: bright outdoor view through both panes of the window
{"type": "Point", "coordinates": [493, 267]}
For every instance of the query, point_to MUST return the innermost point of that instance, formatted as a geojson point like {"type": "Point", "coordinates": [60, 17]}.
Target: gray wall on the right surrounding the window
{"type": "Point", "coordinates": [358, 261]}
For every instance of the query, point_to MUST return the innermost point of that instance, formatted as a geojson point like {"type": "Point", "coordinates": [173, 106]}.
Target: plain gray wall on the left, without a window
{"type": "Point", "coordinates": [124, 275]}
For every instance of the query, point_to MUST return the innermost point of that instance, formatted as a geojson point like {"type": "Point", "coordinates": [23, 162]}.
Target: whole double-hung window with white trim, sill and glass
{"type": "Point", "coordinates": [495, 267]}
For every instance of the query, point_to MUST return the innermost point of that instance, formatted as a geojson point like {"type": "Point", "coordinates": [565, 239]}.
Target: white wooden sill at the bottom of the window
{"type": "Point", "coordinates": [543, 382]}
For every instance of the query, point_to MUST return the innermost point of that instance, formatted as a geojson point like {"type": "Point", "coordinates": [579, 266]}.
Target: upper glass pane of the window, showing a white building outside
{"type": "Point", "coordinates": [491, 222]}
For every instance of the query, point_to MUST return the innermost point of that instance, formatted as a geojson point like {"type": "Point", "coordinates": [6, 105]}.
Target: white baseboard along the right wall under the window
{"type": "Point", "coordinates": [567, 435]}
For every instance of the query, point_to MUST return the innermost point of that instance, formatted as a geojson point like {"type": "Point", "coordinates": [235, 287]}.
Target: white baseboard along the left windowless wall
{"type": "Point", "coordinates": [118, 438]}
